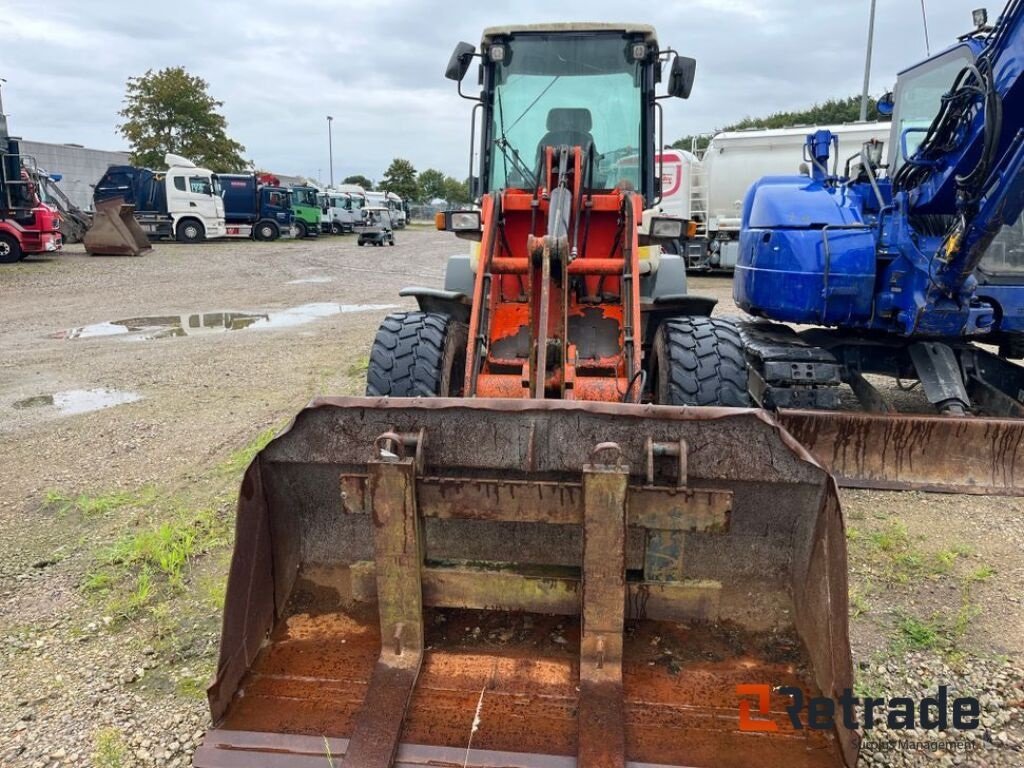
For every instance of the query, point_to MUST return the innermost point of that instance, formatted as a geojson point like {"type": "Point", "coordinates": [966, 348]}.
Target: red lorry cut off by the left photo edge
{"type": "Point", "coordinates": [28, 226]}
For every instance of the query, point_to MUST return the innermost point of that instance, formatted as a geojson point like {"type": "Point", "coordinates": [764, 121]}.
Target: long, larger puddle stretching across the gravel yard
{"type": "Point", "coordinates": [172, 326]}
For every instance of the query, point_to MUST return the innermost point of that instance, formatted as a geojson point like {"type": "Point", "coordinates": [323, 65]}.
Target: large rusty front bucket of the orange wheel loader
{"type": "Point", "coordinates": [531, 583]}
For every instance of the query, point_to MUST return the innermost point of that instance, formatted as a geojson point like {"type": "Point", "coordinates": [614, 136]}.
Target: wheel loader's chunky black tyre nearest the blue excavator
{"type": "Point", "coordinates": [700, 362]}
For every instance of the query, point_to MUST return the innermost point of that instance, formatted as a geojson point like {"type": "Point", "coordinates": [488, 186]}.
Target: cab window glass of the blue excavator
{"type": "Point", "coordinates": [919, 97]}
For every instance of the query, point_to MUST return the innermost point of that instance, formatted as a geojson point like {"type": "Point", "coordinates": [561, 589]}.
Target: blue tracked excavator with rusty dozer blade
{"type": "Point", "coordinates": [910, 267]}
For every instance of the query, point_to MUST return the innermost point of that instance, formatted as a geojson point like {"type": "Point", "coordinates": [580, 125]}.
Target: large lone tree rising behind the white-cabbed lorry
{"type": "Point", "coordinates": [170, 111]}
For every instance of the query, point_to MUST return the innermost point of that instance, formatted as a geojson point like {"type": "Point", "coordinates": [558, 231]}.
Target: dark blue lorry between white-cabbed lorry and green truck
{"type": "Point", "coordinates": [255, 210]}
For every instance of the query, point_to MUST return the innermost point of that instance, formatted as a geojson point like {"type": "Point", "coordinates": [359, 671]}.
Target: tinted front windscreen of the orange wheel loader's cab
{"type": "Point", "coordinates": [553, 91]}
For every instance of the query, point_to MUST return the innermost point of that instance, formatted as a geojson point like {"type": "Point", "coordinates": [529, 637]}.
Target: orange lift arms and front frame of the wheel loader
{"type": "Point", "coordinates": [575, 295]}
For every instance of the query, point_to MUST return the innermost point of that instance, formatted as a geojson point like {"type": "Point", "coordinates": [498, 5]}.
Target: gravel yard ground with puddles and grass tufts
{"type": "Point", "coordinates": [104, 673]}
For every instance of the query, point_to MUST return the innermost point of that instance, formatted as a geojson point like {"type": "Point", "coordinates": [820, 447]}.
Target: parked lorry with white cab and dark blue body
{"type": "Point", "coordinates": [183, 202]}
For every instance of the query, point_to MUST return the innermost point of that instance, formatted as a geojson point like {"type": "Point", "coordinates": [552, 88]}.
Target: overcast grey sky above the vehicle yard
{"type": "Point", "coordinates": [377, 67]}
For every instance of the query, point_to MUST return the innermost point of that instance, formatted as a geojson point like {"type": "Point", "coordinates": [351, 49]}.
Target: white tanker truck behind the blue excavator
{"type": "Point", "coordinates": [713, 192]}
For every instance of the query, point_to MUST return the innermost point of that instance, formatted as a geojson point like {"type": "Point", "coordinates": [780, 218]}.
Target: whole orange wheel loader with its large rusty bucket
{"type": "Point", "coordinates": [507, 554]}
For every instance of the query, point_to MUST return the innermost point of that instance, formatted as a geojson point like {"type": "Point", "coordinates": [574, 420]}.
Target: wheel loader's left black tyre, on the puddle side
{"type": "Point", "coordinates": [418, 355]}
